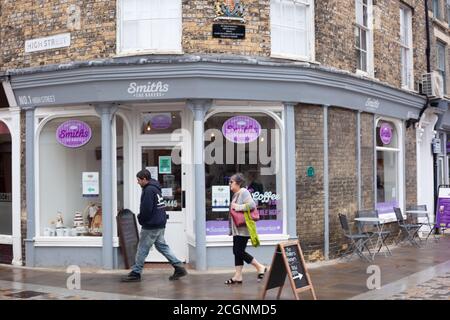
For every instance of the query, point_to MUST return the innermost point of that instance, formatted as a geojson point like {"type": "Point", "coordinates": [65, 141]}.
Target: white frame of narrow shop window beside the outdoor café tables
{"type": "Point", "coordinates": [390, 217]}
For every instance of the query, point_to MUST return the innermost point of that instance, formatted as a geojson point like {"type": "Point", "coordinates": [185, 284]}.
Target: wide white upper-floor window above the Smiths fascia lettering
{"type": "Point", "coordinates": [152, 26]}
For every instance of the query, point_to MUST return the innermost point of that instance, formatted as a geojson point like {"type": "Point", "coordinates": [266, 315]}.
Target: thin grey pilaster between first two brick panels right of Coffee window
{"type": "Point", "coordinates": [326, 218]}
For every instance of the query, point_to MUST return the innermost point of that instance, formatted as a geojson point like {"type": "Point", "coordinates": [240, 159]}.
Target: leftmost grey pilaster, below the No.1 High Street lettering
{"type": "Point", "coordinates": [30, 186]}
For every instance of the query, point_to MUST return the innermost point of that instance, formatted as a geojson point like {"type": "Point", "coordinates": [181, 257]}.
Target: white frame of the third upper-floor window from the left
{"type": "Point", "coordinates": [369, 38]}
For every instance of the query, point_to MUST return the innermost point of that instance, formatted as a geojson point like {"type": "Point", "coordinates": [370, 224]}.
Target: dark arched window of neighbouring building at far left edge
{"type": "Point", "coordinates": [5, 181]}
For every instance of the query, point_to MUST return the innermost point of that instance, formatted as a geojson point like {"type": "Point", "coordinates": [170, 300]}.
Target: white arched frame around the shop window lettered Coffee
{"type": "Point", "coordinates": [271, 111]}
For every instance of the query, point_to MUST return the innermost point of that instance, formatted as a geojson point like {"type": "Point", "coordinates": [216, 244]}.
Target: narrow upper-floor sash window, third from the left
{"type": "Point", "coordinates": [364, 36]}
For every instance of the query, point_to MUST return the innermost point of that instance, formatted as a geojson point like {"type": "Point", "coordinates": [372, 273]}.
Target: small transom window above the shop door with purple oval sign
{"type": "Point", "coordinates": [160, 122]}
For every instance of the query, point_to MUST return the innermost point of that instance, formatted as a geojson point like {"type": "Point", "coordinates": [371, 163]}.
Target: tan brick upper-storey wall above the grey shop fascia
{"type": "Point", "coordinates": [93, 34]}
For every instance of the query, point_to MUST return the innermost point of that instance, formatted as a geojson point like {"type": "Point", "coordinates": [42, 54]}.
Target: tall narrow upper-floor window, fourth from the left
{"type": "Point", "coordinates": [406, 47]}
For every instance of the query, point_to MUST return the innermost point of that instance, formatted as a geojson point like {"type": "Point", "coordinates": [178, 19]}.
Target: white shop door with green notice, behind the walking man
{"type": "Point", "coordinates": [165, 166]}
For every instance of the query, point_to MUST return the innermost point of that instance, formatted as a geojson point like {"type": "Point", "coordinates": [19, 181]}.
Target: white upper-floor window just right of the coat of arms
{"type": "Point", "coordinates": [292, 28]}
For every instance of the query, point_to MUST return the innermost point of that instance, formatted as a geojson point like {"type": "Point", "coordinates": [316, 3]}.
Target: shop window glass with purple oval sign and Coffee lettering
{"type": "Point", "coordinates": [248, 143]}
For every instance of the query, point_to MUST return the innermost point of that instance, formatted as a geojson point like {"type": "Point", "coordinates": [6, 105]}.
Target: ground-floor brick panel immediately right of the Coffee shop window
{"type": "Point", "coordinates": [310, 196]}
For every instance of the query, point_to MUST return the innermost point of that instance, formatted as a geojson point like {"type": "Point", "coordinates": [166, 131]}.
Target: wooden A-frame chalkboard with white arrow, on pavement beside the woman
{"type": "Point", "coordinates": [288, 261]}
